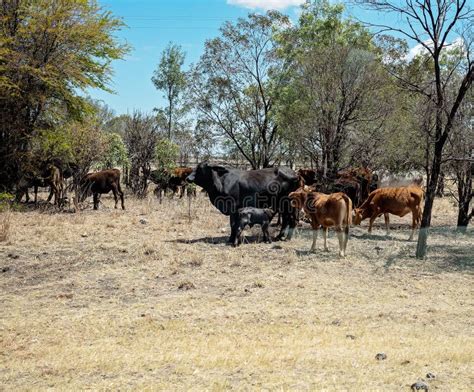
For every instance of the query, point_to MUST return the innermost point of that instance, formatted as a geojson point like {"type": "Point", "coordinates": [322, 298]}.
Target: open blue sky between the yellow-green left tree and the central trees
{"type": "Point", "coordinates": [152, 24]}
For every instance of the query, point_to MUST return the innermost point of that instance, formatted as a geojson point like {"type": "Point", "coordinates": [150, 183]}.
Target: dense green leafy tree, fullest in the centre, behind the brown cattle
{"type": "Point", "coordinates": [335, 87]}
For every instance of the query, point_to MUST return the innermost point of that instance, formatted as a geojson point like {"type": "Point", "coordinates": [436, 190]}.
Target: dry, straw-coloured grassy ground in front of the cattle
{"type": "Point", "coordinates": [150, 299]}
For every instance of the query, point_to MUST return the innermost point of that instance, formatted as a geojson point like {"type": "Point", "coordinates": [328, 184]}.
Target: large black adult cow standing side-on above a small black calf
{"type": "Point", "coordinates": [232, 189]}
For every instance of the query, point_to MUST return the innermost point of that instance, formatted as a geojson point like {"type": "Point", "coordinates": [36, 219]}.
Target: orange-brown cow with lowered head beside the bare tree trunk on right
{"type": "Point", "coordinates": [396, 201]}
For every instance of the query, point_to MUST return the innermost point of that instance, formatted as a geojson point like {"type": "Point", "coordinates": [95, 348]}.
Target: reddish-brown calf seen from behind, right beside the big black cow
{"type": "Point", "coordinates": [333, 210]}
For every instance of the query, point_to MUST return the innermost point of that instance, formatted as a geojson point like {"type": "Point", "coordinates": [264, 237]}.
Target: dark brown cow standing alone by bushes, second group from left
{"type": "Point", "coordinates": [102, 182]}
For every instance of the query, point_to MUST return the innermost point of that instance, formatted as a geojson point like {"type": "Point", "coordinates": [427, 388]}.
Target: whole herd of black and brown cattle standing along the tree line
{"type": "Point", "coordinates": [252, 197]}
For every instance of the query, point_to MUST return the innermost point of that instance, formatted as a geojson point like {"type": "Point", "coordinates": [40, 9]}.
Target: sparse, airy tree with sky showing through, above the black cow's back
{"type": "Point", "coordinates": [232, 87]}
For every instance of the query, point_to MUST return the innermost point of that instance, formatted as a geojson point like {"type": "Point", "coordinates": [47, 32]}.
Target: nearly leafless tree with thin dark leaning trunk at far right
{"type": "Point", "coordinates": [431, 24]}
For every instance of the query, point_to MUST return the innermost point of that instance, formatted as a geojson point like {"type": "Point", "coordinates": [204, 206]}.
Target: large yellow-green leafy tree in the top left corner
{"type": "Point", "coordinates": [49, 51]}
